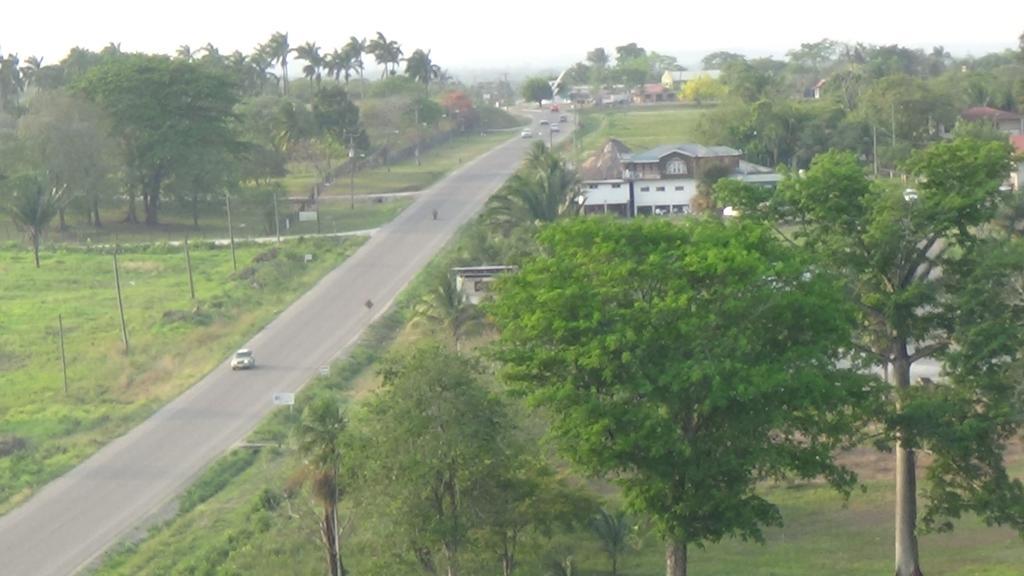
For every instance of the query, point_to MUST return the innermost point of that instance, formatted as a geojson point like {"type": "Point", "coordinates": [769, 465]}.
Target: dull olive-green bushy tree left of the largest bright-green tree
{"type": "Point", "coordinates": [435, 446]}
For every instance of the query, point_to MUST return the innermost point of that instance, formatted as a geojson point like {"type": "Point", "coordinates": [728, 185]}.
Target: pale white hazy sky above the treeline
{"type": "Point", "coordinates": [513, 34]}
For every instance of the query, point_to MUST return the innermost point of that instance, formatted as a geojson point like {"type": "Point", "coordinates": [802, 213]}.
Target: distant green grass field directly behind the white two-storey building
{"type": "Point", "coordinates": [641, 128]}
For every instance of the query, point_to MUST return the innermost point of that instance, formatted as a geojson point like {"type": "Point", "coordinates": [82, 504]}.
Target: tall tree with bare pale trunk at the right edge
{"type": "Point", "coordinates": [930, 282]}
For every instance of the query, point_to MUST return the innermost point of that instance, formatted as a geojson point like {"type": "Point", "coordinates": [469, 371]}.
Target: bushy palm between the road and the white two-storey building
{"type": "Point", "coordinates": [542, 191]}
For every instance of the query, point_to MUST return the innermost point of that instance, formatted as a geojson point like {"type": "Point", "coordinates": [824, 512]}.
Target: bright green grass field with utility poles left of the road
{"type": "Point", "coordinates": [174, 342]}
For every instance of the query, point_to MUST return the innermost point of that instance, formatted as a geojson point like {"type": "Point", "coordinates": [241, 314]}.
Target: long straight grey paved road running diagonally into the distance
{"type": "Point", "coordinates": [76, 518]}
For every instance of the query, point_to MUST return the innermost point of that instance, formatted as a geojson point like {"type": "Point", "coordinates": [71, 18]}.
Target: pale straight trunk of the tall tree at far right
{"type": "Point", "coordinates": [908, 563]}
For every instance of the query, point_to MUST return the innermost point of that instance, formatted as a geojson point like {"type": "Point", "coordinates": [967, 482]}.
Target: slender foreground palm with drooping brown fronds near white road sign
{"type": "Point", "coordinates": [319, 437]}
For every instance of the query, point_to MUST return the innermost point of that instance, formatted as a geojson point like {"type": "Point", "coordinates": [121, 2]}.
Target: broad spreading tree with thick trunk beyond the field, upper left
{"type": "Point", "coordinates": [163, 112]}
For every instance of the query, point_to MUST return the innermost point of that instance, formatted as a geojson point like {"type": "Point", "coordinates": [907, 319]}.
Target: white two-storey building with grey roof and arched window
{"type": "Point", "coordinates": [662, 181]}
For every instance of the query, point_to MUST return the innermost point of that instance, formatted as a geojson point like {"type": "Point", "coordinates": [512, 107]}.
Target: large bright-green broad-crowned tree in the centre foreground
{"type": "Point", "coordinates": [687, 362]}
